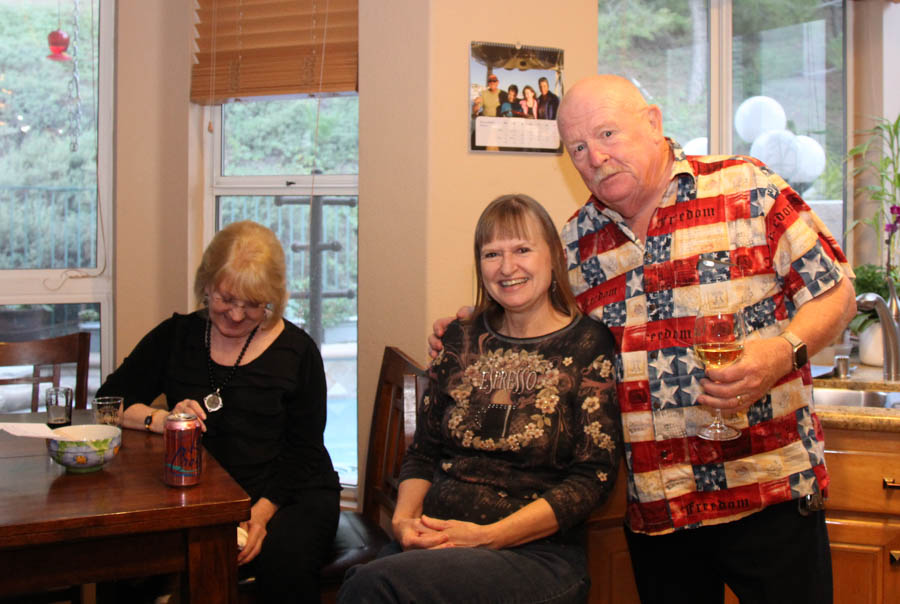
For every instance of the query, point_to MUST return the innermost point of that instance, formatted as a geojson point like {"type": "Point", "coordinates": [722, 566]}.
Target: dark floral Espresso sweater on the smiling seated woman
{"type": "Point", "coordinates": [507, 421]}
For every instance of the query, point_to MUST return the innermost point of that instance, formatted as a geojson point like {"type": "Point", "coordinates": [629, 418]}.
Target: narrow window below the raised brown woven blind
{"type": "Point", "coordinates": [291, 164]}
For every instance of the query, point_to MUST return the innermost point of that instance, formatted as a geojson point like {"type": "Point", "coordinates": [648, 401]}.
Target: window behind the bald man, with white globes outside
{"type": "Point", "coordinates": [758, 78]}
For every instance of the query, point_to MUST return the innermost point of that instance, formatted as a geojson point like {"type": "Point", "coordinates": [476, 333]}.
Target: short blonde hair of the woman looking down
{"type": "Point", "coordinates": [247, 258]}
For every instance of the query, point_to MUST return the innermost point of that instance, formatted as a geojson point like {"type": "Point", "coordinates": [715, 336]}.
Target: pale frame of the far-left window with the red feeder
{"type": "Point", "coordinates": [53, 286]}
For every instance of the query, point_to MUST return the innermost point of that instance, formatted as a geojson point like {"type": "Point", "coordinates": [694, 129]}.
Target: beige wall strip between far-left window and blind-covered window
{"type": "Point", "coordinates": [155, 223]}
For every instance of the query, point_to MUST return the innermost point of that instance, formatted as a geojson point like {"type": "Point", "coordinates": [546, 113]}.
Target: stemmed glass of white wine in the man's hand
{"type": "Point", "coordinates": [718, 342]}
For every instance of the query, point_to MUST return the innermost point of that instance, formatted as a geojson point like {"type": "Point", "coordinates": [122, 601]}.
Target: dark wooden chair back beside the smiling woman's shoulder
{"type": "Point", "coordinates": [400, 385]}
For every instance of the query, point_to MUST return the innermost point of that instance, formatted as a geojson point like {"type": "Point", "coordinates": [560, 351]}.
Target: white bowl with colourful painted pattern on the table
{"type": "Point", "coordinates": [84, 448]}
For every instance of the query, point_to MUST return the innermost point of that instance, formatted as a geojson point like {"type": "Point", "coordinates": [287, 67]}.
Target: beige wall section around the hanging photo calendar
{"type": "Point", "coordinates": [420, 189]}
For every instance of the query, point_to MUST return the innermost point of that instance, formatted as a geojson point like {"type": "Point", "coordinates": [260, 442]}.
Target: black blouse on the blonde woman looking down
{"type": "Point", "coordinates": [269, 432]}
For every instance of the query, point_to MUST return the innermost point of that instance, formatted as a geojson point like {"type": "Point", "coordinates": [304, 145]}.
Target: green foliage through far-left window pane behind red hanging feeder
{"type": "Point", "coordinates": [48, 200]}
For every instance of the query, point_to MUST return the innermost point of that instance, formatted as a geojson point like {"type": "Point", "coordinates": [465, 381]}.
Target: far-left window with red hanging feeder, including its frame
{"type": "Point", "coordinates": [56, 178]}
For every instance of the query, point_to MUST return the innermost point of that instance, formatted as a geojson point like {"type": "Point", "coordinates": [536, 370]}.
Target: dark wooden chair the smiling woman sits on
{"type": "Point", "coordinates": [361, 535]}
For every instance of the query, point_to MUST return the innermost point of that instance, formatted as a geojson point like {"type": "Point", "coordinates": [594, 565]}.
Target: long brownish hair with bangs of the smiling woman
{"type": "Point", "coordinates": [506, 217]}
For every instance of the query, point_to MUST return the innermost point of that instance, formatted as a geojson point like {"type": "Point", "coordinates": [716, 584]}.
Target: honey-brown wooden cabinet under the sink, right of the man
{"type": "Point", "coordinates": [863, 512]}
